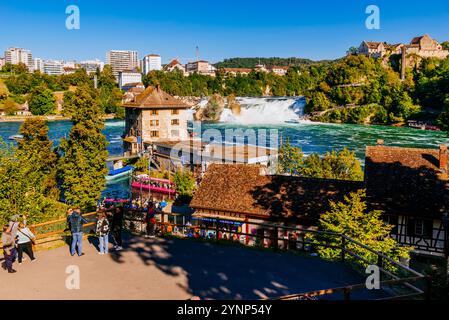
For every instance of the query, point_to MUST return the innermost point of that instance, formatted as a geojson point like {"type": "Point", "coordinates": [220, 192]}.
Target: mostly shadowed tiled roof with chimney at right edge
{"type": "Point", "coordinates": [406, 181]}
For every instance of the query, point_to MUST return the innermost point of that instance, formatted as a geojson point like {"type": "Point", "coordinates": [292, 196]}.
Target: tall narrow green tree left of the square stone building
{"type": "Point", "coordinates": [82, 166]}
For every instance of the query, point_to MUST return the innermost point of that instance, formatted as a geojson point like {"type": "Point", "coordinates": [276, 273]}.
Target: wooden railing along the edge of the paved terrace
{"type": "Point", "coordinates": [403, 282]}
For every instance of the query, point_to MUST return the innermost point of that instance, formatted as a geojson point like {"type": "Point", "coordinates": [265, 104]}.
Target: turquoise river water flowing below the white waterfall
{"type": "Point", "coordinates": [311, 137]}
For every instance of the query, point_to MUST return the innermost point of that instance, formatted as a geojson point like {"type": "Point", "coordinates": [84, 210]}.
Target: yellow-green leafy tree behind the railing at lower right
{"type": "Point", "coordinates": [350, 218]}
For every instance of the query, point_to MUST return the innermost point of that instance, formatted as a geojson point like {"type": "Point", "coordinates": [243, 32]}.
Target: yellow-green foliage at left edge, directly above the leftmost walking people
{"type": "Point", "coordinates": [27, 177]}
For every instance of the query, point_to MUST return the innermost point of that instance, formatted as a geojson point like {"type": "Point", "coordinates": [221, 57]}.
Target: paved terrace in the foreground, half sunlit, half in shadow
{"type": "Point", "coordinates": [173, 269]}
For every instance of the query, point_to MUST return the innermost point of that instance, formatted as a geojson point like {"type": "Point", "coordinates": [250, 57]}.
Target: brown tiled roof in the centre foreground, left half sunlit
{"type": "Point", "coordinates": [240, 188]}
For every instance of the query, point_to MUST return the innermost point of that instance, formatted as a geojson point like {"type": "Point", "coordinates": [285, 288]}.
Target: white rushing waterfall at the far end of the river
{"type": "Point", "coordinates": [266, 110]}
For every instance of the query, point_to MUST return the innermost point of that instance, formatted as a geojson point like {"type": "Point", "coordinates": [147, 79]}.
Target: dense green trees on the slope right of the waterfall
{"type": "Point", "coordinates": [369, 91]}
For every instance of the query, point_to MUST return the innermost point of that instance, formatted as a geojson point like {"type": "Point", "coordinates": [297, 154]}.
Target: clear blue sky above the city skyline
{"type": "Point", "coordinates": [316, 29]}
